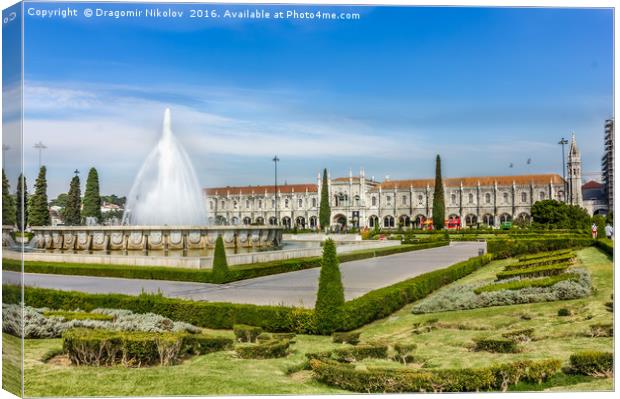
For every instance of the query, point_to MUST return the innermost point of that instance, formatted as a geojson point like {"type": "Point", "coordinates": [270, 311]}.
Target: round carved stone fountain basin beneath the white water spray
{"type": "Point", "coordinates": [153, 238]}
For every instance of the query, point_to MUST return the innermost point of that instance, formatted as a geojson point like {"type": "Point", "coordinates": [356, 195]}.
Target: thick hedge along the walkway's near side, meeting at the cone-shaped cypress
{"type": "Point", "coordinates": [358, 312]}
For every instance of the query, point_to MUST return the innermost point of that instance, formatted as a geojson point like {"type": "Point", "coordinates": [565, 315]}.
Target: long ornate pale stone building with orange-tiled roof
{"type": "Point", "coordinates": [361, 202]}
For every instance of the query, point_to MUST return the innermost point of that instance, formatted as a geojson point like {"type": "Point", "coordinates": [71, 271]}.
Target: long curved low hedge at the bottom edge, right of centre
{"type": "Point", "coordinates": [391, 380]}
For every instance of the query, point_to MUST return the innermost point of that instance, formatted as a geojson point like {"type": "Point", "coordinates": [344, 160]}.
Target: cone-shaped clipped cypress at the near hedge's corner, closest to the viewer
{"type": "Point", "coordinates": [330, 296]}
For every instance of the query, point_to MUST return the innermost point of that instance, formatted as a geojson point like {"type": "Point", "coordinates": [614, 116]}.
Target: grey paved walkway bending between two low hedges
{"type": "Point", "coordinates": [295, 288]}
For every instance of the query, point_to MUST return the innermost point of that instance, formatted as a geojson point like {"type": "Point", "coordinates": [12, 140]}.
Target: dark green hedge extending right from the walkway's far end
{"type": "Point", "coordinates": [507, 248]}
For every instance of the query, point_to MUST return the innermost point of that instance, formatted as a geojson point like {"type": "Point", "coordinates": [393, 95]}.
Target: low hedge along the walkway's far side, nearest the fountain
{"type": "Point", "coordinates": [235, 273]}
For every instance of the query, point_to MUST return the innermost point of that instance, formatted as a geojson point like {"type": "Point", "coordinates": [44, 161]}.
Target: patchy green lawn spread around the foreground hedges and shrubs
{"type": "Point", "coordinates": [222, 373]}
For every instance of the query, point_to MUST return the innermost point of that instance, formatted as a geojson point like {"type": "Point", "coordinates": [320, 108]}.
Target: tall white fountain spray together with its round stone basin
{"type": "Point", "coordinates": [165, 212]}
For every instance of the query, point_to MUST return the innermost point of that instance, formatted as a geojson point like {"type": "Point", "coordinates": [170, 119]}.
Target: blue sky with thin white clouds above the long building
{"type": "Point", "coordinates": [483, 87]}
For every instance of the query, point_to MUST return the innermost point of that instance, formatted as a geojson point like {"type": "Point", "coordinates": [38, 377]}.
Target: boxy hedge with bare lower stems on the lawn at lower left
{"type": "Point", "coordinates": [135, 349]}
